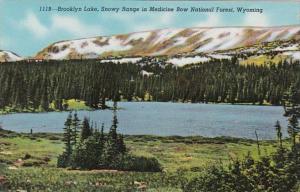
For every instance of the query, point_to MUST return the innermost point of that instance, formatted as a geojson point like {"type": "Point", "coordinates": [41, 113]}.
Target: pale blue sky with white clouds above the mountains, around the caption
{"type": "Point", "coordinates": [25, 30]}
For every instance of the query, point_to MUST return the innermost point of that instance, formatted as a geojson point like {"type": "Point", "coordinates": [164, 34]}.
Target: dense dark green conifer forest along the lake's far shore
{"type": "Point", "coordinates": [45, 86]}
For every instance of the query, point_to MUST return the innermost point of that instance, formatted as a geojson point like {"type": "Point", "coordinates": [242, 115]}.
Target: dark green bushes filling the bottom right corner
{"type": "Point", "coordinates": [279, 172]}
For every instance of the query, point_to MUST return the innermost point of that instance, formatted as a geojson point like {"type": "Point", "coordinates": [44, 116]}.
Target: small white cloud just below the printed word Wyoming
{"type": "Point", "coordinates": [256, 19]}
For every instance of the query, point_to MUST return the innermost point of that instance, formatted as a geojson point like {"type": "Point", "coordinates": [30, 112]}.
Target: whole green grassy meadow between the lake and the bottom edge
{"type": "Point", "coordinates": [181, 157]}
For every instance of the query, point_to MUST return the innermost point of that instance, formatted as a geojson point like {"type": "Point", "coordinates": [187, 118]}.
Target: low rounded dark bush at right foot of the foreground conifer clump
{"type": "Point", "coordinates": [142, 164]}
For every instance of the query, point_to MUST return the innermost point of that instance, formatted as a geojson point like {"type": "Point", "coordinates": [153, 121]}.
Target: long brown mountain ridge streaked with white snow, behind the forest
{"type": "Point", "coordinates": [168, 42]}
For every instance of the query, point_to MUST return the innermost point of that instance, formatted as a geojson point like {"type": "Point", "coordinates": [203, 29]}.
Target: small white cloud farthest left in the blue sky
{"type": "Point", "coordinates": [32, 24]}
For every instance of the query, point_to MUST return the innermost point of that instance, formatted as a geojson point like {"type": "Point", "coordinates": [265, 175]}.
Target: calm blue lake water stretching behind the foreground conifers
{"type": "Point", "coordinates": [164, 119]}
